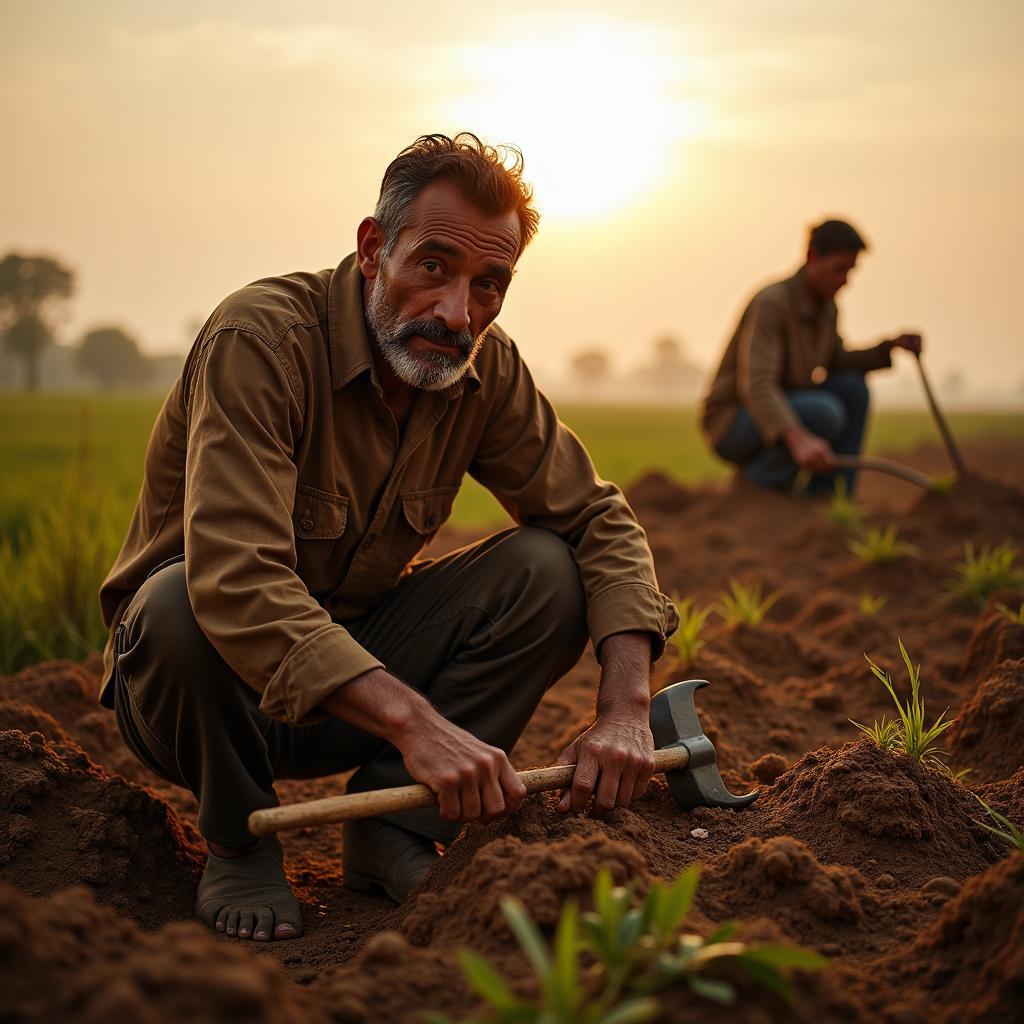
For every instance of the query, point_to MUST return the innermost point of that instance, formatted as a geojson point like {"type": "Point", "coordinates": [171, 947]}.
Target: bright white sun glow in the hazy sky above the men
{"type": "Point", "coordinates": [598, 108]}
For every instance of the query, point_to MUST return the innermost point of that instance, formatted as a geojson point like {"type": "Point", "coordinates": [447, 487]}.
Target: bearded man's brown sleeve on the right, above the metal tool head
{"type": "Point", "coordinates": [544, 478]}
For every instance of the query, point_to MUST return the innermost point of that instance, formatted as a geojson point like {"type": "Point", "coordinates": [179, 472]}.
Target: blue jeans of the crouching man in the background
{"type": "Point", "coordinates": [836, 411]}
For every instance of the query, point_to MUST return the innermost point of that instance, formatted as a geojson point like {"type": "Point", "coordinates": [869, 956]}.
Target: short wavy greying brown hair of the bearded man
{"type": "Point", "coordinates": [491, 178]}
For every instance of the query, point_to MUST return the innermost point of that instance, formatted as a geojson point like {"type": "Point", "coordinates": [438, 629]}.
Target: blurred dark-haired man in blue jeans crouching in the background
{"type": "Point", "coordinates": [789, 395]}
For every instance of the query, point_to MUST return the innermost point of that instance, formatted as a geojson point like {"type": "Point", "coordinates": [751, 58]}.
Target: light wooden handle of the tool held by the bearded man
{"type": "Point", "coordinates": [411, 798]}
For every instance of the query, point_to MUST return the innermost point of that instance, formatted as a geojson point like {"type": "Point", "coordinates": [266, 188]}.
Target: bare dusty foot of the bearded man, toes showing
{"type": "Point", "coordinates": [245, 893]}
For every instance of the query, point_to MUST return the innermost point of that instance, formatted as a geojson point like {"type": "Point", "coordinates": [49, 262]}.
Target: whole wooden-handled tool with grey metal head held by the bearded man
{"type": "Point", "coordinates": [685, 754]}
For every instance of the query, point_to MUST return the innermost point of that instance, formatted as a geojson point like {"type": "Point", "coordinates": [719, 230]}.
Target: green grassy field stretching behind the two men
{"type": "Point", "coordinates": [72, 467]}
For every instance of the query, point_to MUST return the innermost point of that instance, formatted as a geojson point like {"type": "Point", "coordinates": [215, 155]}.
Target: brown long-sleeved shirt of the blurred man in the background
{"type": "Point", "coordinates": [784, 343]}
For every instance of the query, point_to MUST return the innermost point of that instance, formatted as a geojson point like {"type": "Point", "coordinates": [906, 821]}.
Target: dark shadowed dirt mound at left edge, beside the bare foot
{"type": "Point", "coordinates": [65, 822]}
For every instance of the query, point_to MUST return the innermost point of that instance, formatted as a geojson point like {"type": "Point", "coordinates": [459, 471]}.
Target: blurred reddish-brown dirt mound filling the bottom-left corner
{"type": "Point", "coordinates": [67, 959]}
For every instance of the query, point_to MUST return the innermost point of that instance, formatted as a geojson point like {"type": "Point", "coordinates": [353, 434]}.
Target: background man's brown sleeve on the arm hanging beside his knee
{"type": "Point", "coordinates": [759, 370]}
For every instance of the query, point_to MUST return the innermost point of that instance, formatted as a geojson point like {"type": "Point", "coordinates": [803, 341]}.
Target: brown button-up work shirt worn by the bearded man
{"type": "Point", "coordinates": [278, 472]}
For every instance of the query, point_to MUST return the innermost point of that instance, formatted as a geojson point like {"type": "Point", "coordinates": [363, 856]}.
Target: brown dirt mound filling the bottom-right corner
{"type": "Point", "coordinates": [969, 966]}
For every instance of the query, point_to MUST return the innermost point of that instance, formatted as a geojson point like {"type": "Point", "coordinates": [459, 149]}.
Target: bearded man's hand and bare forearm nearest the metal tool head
{"type": "Point", "coordinates": [616, 756]}
